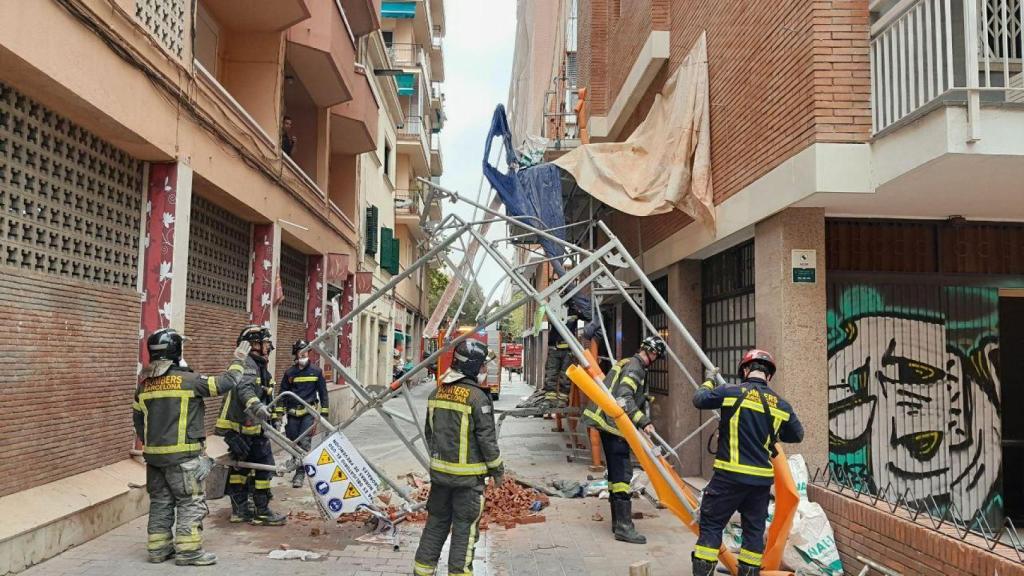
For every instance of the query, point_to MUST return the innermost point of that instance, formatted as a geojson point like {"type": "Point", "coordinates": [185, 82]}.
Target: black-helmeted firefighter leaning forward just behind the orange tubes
{"type": "Point", "coordinates": [627, 383]}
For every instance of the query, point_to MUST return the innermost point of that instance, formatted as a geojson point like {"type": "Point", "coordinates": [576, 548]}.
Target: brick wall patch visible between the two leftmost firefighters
{"type": "Point", "coordinates": [212, 332]}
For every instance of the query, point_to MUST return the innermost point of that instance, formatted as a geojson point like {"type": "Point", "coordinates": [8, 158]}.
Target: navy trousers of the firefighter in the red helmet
{"type": "Point", "coordinates": [723, 498]}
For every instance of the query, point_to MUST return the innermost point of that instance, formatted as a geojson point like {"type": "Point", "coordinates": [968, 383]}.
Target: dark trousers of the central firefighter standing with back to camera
{"type": "Point", "coordinates": [455, 511]}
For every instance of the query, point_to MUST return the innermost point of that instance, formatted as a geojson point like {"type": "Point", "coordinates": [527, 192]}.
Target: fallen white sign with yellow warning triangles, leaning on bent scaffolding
{"type": "Point", "coordinates": [339, 474]}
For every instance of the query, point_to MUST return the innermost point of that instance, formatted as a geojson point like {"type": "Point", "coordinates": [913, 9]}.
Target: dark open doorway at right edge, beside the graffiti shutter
{"type": "Point", "coordinates": [1011, 368]}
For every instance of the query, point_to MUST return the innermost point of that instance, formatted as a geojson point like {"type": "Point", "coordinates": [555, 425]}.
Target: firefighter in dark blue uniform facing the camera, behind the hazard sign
{"type": "Point", "coordinates": [307, 382]}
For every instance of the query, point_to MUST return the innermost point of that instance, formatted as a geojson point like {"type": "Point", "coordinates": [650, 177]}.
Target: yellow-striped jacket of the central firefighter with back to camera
{"type": "Point", "coordinates": [460, 433]}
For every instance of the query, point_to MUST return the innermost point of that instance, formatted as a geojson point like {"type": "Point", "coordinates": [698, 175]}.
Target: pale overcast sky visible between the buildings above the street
{"type": "Point", "coordinates": [479, 49]}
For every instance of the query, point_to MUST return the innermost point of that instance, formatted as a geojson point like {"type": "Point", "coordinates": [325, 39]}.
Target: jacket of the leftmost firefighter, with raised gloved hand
{"type": "Point", "coordinates": [168, 413]}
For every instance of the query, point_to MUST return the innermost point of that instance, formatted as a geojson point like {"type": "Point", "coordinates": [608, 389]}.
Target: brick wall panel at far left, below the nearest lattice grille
{"type": "Point", "coordinates": [69, 356]}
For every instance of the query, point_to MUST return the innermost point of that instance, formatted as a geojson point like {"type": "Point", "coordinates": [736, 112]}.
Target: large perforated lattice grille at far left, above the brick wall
{"type": "Point", "coordinates": [70, 203]}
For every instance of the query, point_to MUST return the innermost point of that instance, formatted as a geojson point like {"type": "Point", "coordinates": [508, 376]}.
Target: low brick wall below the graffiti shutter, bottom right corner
{"type": "Point", "coordinates": [895, 542]}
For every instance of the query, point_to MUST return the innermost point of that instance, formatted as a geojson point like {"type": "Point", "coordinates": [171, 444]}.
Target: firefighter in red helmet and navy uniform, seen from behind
{"type": "Point", "coordinates": [754, 419]}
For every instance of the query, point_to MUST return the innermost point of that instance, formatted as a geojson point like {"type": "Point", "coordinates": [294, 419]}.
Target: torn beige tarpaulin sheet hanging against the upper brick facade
{"type": "Point", "coordinates": [666, 162]}
